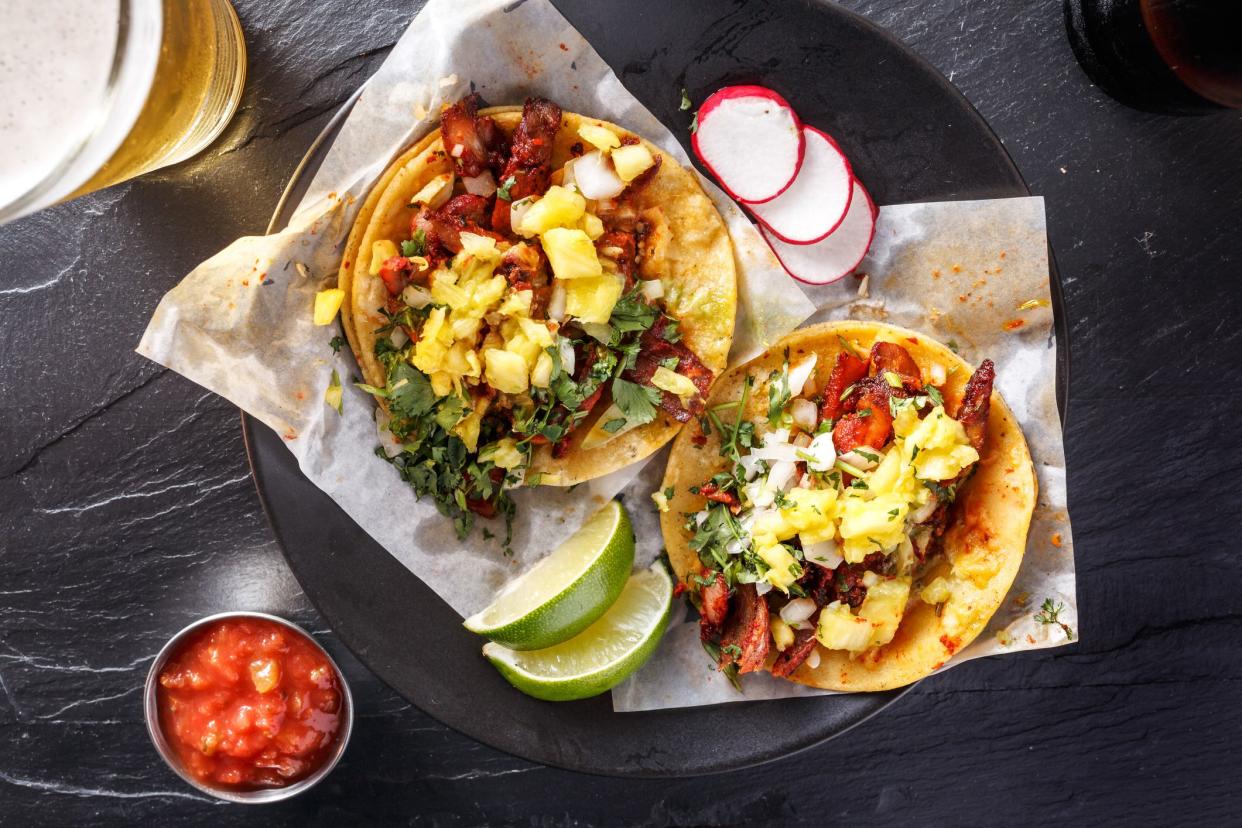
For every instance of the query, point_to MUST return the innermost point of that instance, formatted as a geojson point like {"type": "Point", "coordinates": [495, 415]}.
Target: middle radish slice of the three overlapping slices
{"type": "Point", "coordinates": [818, 200]}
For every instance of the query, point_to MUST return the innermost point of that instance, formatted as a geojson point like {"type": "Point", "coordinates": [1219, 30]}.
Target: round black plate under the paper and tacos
{"type": "Point", "coordinates": [911, 136]}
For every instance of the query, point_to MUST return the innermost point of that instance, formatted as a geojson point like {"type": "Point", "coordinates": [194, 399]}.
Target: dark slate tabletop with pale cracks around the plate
{"type": "Point", "coordinates": [127, 510]}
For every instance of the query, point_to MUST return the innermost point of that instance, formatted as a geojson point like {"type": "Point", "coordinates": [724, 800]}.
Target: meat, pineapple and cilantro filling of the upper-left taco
{"type": "Point", "coordinates": [526, 306]}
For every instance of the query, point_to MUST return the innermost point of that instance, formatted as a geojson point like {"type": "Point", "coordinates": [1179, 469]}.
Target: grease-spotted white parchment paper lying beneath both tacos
{"type": "Point", "coordinates": [240, 326]}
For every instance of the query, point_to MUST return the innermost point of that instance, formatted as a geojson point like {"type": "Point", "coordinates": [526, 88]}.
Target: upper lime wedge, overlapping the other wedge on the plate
{"type": "Point", "coordinates": [563, 594]}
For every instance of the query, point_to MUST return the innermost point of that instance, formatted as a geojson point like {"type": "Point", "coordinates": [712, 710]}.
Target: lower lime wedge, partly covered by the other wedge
{"type": "Point", "coordinates": [602, 656]}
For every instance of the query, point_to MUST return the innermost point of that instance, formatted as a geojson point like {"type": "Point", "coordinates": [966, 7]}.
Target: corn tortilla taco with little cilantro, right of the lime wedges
{"type": "Point", "coordinates": [851, 511]}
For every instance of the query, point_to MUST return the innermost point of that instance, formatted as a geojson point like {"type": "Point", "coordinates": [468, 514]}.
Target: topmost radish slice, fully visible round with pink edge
{"type": "Point", "coordinates": [752, 141]}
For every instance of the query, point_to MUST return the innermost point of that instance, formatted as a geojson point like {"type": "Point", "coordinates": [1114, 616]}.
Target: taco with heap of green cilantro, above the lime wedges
{"type": "Point", "coordinates": [535, 296]}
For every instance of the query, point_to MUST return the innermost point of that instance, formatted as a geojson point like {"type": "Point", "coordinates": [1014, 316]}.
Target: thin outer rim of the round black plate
{"type": "Point", "coordinates": [250, 436]}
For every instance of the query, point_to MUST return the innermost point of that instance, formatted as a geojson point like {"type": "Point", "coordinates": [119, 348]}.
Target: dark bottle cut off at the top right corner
{"type": "Point", "coordinates": [1173, 56]}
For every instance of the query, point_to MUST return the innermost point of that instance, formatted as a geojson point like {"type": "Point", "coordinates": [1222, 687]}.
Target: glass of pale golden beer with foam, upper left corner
{"type": "Point", "coordinates": [96, 92]}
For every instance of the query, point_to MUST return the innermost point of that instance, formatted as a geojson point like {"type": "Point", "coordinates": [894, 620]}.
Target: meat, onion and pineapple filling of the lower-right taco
{"type": "Point", "coordinates": [832, 510]}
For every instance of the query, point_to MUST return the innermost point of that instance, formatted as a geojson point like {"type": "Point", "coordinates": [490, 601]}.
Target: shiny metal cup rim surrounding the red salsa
{"type": "Point", "coordinates": [229, 795]}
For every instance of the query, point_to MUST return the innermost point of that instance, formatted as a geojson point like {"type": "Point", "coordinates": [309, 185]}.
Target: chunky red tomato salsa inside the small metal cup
{"type": "Point", "coordinates": [249, 704]}
